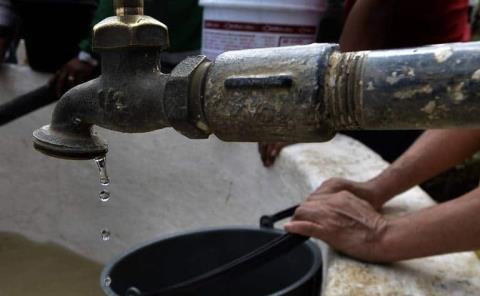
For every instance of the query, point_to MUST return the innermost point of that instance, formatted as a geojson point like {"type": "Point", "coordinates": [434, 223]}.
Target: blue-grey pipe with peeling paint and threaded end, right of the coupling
{"type": "Point", "coordinates": [420, 88]}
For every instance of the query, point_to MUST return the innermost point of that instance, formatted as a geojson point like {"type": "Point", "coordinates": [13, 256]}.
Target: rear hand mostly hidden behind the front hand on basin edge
{"type": "Point", "coordinates": [368, 191]}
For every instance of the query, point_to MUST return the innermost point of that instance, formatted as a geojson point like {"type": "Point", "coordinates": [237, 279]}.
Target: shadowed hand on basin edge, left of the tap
{"type": "Point", "coordinates": [71, 74]}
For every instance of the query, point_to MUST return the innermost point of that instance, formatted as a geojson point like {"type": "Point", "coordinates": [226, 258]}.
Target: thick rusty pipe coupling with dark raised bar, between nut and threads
{"type": "Point", "coordinates": [269, 94]}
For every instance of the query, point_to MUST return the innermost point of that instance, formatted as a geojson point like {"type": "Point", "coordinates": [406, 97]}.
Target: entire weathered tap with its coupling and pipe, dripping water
{"type": "Point", "coordinates": [300, 93]}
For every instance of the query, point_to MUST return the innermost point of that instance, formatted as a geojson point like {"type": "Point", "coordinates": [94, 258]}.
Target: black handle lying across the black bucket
{"type": "Point", "coordinates": [260, 256]}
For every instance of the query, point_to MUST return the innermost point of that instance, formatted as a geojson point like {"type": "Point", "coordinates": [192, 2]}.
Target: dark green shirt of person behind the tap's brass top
{"type": "Point", "coordinates": [183, 18]}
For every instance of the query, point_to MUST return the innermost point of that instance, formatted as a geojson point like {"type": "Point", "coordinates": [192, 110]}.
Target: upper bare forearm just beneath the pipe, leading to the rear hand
{"type": "Point", "coordinates": [434, 152]}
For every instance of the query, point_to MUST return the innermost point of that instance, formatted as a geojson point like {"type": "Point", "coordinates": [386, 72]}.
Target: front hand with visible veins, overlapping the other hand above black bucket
{"type": "Point", "coordinates": [344, 221]}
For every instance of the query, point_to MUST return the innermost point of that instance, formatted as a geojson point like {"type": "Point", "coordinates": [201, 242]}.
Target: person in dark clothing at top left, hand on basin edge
{"type": "Point", "coordinates": [52, 31]}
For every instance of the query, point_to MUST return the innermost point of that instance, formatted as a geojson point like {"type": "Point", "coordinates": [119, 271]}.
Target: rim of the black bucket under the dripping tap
{"type": "Point", "coordinates": [315, 268]}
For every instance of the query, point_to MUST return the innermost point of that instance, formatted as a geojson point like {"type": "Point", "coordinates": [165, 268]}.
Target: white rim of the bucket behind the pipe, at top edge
{"type": "Point", "coordinates": [262, 6]}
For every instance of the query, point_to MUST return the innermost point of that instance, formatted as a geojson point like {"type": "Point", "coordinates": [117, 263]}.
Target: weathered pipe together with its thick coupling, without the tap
{"type": "Point", "coordinates": [307, 93]}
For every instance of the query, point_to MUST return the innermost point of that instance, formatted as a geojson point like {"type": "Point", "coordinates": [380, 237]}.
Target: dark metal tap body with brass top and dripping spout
{"type": "Point", "coordinates": [126, 97]}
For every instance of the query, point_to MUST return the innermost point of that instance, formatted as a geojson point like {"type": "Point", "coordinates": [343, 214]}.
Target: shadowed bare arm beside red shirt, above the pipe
{"type": "Point", "coordinates": [367, 25]}
